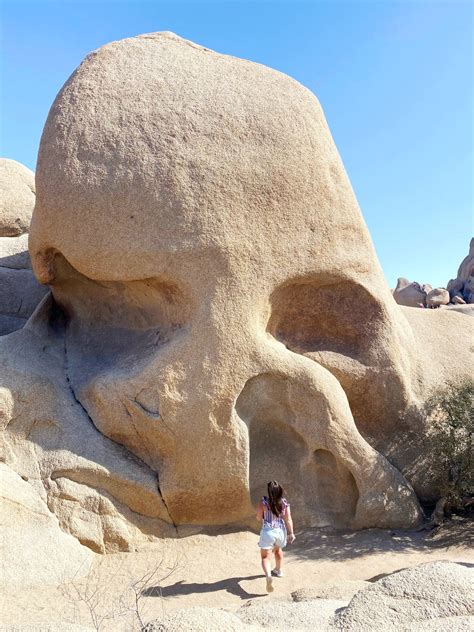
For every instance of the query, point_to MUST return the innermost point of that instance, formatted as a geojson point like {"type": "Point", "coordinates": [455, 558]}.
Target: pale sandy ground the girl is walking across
{"type": "Point", "coordinates": [221, 571]}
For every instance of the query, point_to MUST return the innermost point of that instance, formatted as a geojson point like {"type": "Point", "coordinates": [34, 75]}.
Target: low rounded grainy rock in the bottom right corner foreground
{"type": "Point", "coordinates": [436, 592]}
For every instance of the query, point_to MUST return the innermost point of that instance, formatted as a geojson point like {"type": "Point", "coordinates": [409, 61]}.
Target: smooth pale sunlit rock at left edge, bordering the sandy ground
{"type": "Point", "coordinates": [34, 549]}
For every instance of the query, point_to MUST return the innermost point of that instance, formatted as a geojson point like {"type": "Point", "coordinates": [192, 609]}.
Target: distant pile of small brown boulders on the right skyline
{"type": "Point", "coordinates": [459, 291]}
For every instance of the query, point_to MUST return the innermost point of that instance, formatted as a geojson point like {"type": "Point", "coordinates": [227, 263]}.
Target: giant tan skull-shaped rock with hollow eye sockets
{"type": "Point", "coordinates": [227, 320]}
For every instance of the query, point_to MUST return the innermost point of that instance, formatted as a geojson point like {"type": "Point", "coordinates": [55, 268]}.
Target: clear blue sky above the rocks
{"type": "Point", "coordinates": [395, 80]}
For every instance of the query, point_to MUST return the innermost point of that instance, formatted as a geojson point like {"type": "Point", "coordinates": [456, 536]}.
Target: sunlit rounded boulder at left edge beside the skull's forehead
{"type": "Point", "coordinates": [17, 198]}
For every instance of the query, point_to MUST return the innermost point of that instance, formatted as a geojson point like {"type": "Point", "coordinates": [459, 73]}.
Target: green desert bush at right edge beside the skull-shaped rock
{"type": "Point", "coordinates": [451, 413]}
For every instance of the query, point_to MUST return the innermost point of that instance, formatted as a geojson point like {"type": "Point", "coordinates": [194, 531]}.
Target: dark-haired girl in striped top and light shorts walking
{"type": "Point", "coordinates": [274, 512]}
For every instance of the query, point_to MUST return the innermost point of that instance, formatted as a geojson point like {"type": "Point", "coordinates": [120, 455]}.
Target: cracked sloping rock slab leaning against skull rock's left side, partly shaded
{"type": "Point", "coordinates": [100, 493]}
